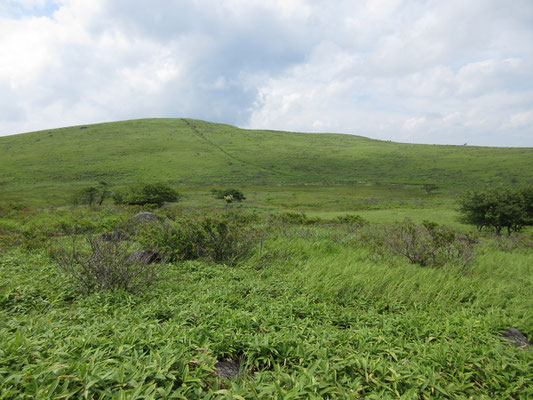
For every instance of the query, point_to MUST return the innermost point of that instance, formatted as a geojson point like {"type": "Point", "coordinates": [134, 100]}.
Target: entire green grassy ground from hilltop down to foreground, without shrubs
{"type": "Point", "coordinates": [316, 307]}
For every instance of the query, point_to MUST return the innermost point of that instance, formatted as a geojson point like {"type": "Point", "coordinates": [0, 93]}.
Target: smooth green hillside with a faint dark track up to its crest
{"type": "Point", "coordinates": [192, 152]}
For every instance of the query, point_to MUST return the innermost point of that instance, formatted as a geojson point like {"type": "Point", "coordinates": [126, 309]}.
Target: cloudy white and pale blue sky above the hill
{"type": "Point", "coordinates": [418, 71]}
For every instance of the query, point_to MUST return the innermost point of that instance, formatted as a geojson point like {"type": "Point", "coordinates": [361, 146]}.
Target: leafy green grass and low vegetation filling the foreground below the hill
{"type": "Point", "coordinates": [314, 308]}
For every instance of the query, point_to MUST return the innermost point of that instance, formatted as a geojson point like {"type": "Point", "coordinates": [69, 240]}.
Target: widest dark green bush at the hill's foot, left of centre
{"type": "Point", "coordinates": [146, 193]}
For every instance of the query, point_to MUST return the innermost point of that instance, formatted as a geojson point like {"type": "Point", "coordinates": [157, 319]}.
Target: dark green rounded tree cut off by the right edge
{"type": "Point", "coordinates": [498, 208]}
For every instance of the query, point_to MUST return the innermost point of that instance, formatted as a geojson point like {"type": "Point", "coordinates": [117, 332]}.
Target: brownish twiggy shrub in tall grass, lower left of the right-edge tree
{"type": "Point", "coordinates": [427, 245]}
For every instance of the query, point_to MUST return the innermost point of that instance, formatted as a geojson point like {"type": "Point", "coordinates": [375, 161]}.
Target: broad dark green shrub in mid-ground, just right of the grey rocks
{"type": "Point", "coordinates": [220, 239]}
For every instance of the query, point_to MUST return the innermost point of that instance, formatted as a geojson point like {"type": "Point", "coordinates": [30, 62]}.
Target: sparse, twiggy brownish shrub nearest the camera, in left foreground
{"type": "Point", "coordinates": [108, 265]}
